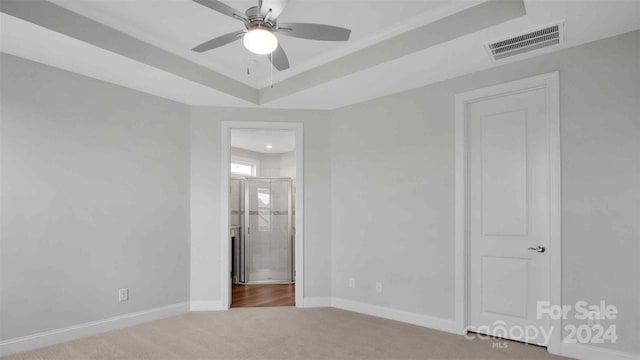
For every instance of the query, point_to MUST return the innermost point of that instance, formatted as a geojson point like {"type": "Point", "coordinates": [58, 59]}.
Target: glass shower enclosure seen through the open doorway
{"type": "Point", "coordinates": [262, 230]}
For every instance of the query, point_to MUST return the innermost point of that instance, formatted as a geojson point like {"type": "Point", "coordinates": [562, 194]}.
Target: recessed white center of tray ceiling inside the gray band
{"type": "Point", "coordinates": [179, 25]}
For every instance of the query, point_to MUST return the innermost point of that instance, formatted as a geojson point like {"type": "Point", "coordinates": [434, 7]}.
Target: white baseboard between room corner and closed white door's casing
{"type": "Point", "coordinates": [398, 315]}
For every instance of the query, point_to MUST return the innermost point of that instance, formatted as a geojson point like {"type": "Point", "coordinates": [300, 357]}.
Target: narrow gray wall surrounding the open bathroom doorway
{"type": "Point", "coordinates": [205, 196]}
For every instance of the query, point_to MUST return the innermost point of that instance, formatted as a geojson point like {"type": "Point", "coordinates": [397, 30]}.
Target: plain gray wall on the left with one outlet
{"type": "Point", "coordinates": [95, 197]}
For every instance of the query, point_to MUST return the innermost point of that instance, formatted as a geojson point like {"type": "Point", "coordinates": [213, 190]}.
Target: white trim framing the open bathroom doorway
{"type": "Point", "coordinates": [225, 263]}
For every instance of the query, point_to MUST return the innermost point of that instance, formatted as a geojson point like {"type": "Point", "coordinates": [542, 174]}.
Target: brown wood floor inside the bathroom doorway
{"type": "Point", "coordinates": [263, 295]}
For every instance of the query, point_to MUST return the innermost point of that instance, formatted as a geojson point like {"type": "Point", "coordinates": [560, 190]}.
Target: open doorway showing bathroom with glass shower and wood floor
{"type": "Point", "coordinates": [262, 186]}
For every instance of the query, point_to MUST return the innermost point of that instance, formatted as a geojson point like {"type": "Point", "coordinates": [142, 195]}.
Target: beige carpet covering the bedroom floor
{"type": "Point", "coordinates": [280, 333]}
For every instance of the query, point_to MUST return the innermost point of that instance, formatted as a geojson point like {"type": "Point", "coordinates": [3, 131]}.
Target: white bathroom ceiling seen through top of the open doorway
{"type": "Point", "coordinates": [257, 140]}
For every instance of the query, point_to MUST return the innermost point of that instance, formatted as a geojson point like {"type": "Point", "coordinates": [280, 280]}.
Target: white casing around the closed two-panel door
{"type": "Point", "coordinates": [551, 83]}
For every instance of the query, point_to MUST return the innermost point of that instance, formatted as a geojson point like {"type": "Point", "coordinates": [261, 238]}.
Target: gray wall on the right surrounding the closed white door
{"type": "Point", "coordinates": [392, 186]}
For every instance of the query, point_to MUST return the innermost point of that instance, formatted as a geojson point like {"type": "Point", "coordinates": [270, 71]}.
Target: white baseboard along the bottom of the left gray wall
{"type": "Point", "coordinates": [56, 336]}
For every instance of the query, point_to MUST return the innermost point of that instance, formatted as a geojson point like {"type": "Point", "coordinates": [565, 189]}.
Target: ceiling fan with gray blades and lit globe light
{"type": "Point", "coordinates": [261, 25]}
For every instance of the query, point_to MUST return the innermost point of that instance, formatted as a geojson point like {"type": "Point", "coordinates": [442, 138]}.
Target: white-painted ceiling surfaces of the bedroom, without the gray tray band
{"type": "Point", "coordinates": [177, 25]}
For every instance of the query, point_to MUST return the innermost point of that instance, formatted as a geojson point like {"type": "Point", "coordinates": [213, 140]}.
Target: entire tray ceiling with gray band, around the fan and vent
{"type": "Point", "coordinates": [395, 45]}
